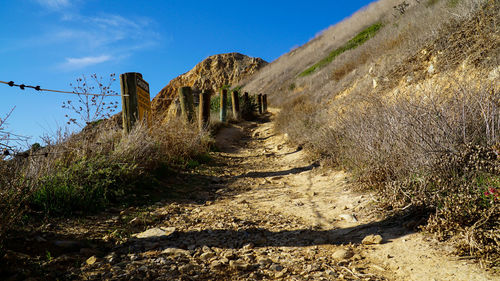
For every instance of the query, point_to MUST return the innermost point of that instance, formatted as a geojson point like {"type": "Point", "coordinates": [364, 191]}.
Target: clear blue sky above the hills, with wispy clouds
{"type": "Point", "coordinates": [53, 42]}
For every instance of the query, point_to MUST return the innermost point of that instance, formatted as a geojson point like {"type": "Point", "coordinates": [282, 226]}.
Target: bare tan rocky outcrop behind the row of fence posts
{"type": "Point", "coordinates": [210, 74]}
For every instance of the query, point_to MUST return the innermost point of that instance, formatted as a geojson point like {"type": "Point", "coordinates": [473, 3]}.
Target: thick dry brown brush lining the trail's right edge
{"type": "Point", "coordinates": [397, 143]}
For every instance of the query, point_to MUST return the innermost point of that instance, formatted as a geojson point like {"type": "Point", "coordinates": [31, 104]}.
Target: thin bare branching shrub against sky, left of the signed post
{"type": "Point", "coordinates": [91, 104]}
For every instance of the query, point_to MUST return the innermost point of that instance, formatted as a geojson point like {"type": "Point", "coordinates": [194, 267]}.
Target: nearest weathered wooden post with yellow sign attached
{"type": "Point", "coordinates": [136, 103]}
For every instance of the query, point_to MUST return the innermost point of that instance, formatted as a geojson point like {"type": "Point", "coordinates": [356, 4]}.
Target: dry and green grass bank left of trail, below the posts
{"type": "Point", "coordinates": [84, 172]}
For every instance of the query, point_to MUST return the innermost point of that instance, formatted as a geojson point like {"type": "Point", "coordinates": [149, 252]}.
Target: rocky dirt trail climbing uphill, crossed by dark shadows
{"type": "Point", "coordinates": [261, 210]}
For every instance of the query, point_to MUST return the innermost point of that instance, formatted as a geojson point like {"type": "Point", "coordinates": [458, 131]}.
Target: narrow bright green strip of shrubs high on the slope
{"type": "Point", "coordinates": [358, 40]}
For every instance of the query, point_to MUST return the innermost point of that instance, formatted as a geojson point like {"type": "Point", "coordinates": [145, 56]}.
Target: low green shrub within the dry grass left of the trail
{"type": "Point", "coordinates": [87, 185]}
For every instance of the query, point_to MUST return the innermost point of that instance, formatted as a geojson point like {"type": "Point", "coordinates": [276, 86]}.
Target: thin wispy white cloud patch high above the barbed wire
{"type": "Point", "coordinates": [80, 34]}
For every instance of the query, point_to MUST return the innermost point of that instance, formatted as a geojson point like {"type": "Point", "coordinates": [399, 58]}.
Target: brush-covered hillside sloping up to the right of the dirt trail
{"type": "Point", "coordinates": [405, 95]}
